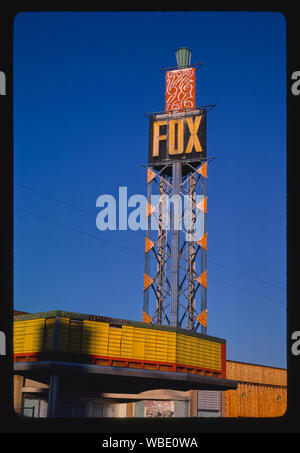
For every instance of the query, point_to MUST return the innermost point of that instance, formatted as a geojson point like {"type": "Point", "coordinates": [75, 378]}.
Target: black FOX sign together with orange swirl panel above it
{"type": "Point", "coordinates": [179, 133]}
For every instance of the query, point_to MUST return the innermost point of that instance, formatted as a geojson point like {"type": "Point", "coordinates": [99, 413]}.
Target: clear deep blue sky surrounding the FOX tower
{"type": "Point", "coordinates": [82, 82]}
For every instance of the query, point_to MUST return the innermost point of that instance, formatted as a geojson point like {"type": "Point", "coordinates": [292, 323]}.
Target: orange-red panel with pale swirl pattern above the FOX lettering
{"type": "Point", "coordinates": [180, 89]}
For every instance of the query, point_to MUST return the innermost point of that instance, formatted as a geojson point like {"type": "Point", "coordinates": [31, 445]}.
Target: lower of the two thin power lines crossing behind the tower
{"type": "Point", "coordinates": [134, 251]}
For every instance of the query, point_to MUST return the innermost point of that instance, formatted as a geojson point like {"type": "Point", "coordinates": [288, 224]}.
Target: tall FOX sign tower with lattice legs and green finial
{"type": "Point", "coordinates": [175, 273]}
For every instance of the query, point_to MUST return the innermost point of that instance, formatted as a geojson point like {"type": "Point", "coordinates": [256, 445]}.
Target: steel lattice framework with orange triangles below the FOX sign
{"type": "Point", "coordinates": [175, 275]}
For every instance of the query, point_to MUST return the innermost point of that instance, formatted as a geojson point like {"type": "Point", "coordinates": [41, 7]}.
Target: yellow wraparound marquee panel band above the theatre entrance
{"type": "Point", "coordinates": [126, 342]}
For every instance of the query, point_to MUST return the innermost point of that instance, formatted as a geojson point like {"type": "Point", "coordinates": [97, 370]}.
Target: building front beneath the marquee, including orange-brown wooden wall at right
{"type": "Point", "coordinates": [261, 392]}
